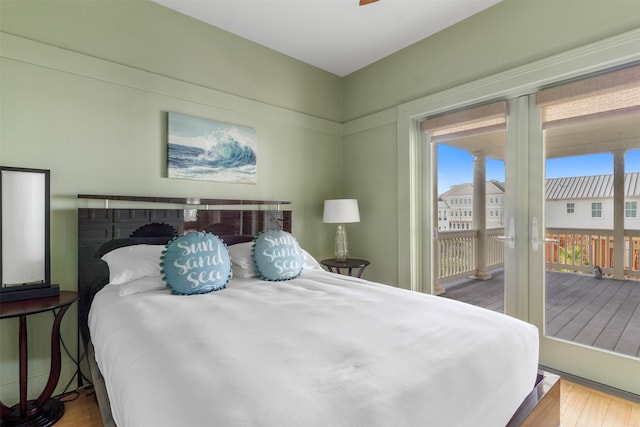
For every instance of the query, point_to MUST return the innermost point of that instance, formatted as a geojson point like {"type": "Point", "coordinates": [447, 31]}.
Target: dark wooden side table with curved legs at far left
{"type": "Point", "coordinates": [43, 411]}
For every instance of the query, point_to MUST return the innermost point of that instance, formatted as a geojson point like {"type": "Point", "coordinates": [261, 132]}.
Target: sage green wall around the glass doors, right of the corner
{"type": "Point", "coordinates": [510, 34]}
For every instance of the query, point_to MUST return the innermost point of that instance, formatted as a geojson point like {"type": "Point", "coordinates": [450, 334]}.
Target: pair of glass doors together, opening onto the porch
{"type": "Point", "coordinates": [564, 218]}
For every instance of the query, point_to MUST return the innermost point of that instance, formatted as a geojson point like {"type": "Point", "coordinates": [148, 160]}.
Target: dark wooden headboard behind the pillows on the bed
{"type": "Point", "coordinates": [101, 230]}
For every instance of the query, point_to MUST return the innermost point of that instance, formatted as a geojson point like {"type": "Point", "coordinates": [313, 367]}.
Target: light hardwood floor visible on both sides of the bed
{"type": "Point", "coordinates": [580, 406]}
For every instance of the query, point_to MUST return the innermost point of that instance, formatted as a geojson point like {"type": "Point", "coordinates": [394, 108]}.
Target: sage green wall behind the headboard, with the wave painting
{"type": "Point", "coordinates": [86, 86]}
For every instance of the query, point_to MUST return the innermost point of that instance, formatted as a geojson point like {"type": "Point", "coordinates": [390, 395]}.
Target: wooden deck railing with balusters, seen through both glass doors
{"type": "Point", "coordinates": [575, 250]}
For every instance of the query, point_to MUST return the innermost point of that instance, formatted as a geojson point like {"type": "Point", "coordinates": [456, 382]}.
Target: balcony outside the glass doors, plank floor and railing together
{"type": "Point", "coordinates": [603, 313]}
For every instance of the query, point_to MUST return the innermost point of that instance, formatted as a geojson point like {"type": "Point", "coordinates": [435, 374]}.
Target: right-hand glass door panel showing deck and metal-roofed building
{"type": "Point", "coordinates": [585, 236]}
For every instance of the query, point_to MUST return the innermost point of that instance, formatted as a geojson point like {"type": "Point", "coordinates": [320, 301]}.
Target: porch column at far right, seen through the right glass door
{"type": "Point", "coordinates": [618, 215]}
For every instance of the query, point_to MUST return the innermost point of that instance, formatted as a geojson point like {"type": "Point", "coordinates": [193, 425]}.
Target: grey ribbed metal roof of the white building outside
{"type": "Point", "coordinates": [591, 187]}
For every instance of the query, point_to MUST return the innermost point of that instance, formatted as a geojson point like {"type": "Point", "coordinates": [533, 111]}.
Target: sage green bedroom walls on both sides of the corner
{"type": "Point", "coordinates": [85, 86]}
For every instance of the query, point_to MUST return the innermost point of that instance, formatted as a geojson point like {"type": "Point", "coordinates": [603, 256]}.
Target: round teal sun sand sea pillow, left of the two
{"type": "Point", "coordinates": [196, 263]}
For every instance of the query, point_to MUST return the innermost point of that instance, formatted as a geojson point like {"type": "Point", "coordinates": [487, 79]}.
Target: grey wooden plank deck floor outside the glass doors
{"type": "Point", "coordinates": [603, 313]}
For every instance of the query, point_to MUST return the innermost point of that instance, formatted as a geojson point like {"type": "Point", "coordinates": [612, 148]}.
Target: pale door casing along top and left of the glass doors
{"type": "Point", "coordinates": [413, 211]}
